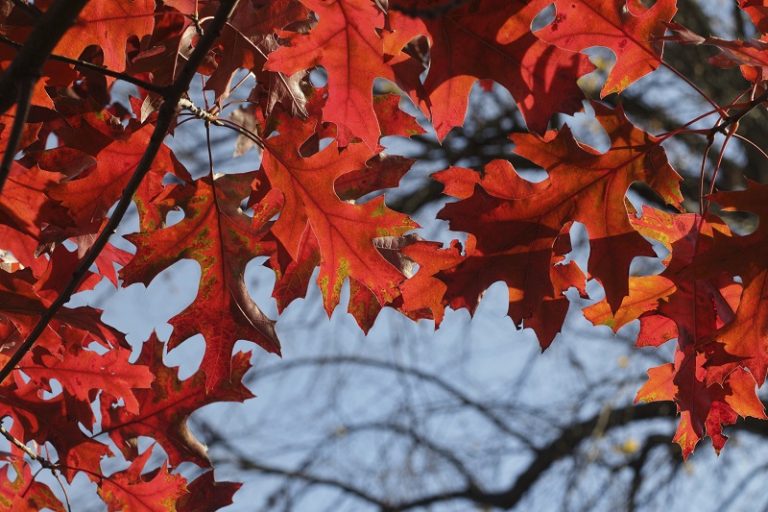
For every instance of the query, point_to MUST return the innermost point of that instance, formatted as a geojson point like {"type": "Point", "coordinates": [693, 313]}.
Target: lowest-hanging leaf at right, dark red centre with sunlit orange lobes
{"type": "Point", "coordinates": [710, 386]}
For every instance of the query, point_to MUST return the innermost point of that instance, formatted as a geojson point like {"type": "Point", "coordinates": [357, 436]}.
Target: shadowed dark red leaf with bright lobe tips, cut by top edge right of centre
{"type": "Point", "coordinates": [541, 77]}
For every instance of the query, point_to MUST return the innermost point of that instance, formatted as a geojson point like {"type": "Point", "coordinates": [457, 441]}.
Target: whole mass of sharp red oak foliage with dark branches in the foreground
{"type": "Point", "coordinates": [77, 154]}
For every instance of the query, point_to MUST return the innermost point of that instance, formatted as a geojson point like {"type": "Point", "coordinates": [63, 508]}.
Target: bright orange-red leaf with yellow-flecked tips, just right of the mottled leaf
{"type": "Point", "coordinates": [345, 233]}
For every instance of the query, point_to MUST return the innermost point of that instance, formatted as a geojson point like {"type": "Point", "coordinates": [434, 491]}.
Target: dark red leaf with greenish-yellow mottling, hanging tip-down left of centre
{"type": "Point", "coordinates": [221, 238]}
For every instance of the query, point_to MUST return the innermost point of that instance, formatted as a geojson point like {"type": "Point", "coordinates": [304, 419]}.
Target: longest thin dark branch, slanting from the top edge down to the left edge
{"type": "Point", "coordinates": [165, 119]}
